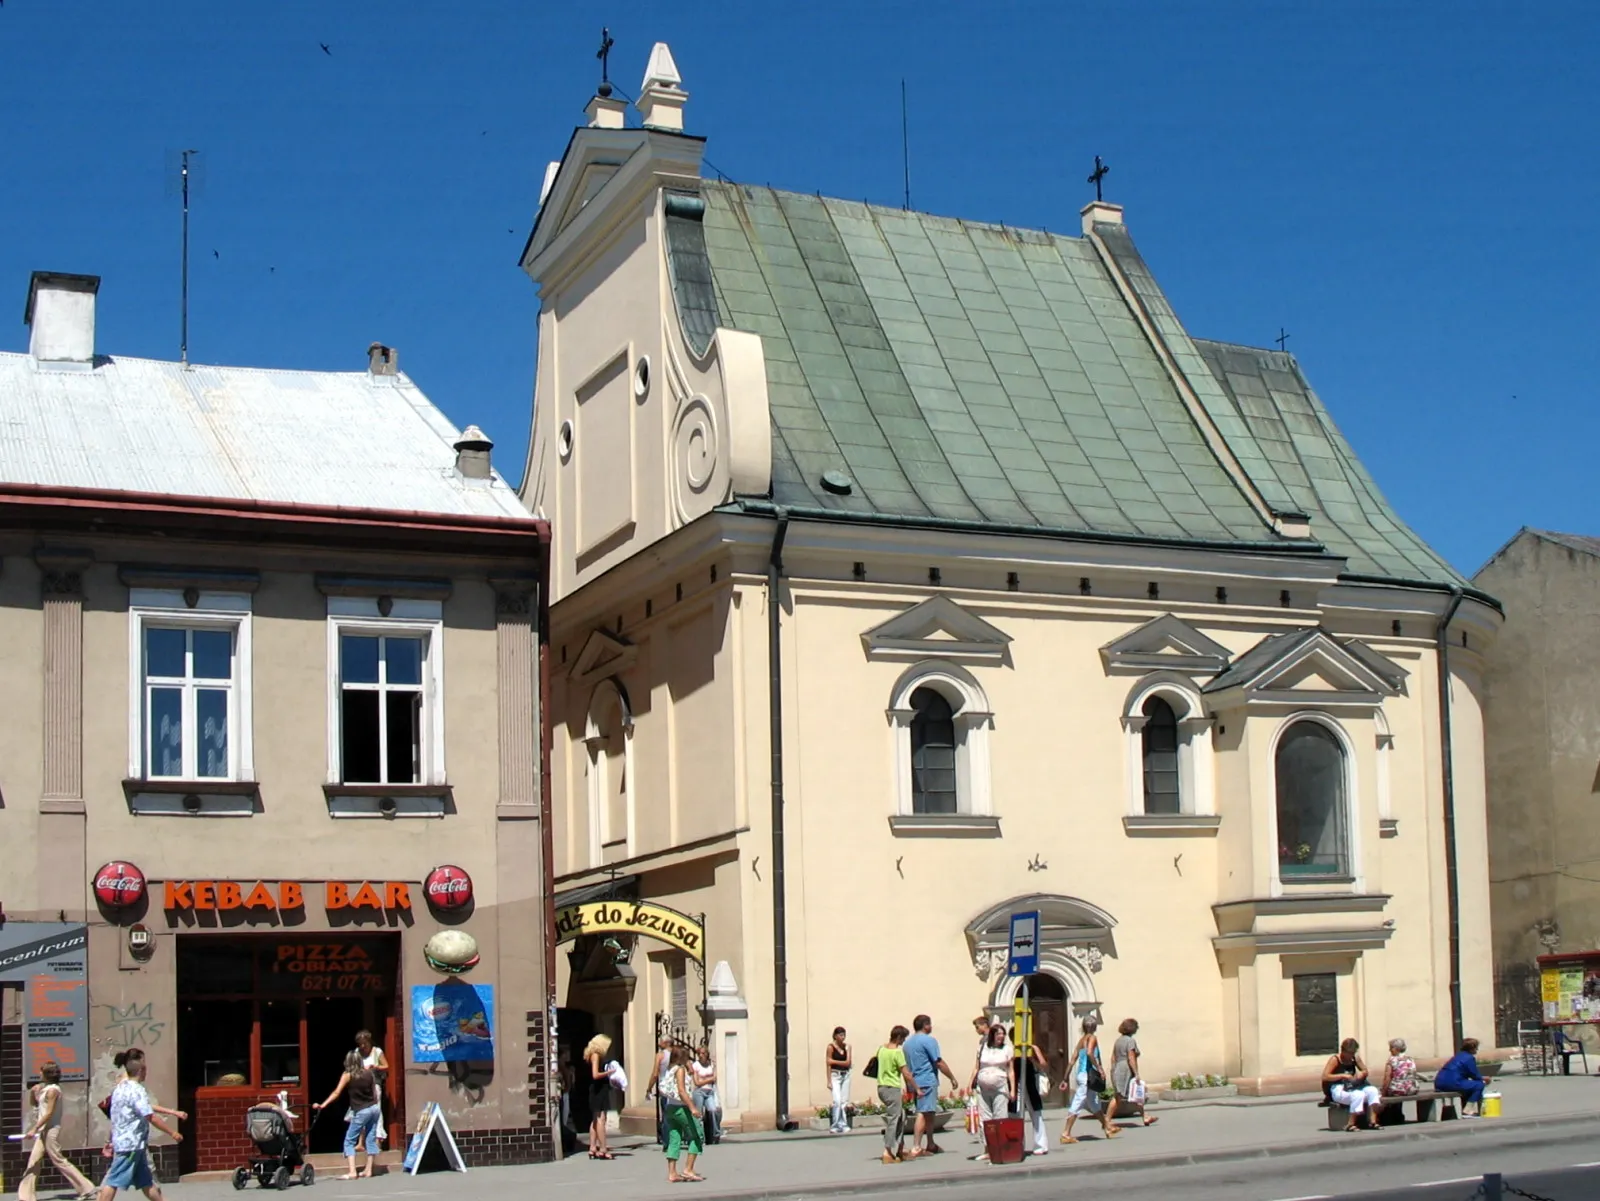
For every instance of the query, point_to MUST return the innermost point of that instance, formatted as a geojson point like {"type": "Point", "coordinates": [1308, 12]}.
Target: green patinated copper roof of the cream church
{"type": "Point", "coordinates": [969, 373]}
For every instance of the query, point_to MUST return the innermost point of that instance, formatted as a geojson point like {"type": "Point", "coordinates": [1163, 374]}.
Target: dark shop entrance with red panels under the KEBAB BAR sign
{"type": "Point", "coordinates": [260, 1015]}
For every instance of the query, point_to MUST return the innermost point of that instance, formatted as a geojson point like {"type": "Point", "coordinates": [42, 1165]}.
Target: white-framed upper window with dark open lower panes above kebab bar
{"type": "Point", "coordinates": [386, 703]}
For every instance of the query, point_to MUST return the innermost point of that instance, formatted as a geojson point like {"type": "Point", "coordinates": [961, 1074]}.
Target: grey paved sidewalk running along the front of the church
{"type": "Point", "coordinates": [772, 1165]}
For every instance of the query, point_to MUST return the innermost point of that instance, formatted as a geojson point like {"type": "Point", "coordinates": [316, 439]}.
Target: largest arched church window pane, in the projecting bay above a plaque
{"type": "Point", "coordinates": [1311, 805]}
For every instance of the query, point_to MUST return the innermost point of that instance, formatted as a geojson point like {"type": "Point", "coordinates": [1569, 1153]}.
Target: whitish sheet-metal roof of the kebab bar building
{"type": "Point", "coordinates": [297, 437]}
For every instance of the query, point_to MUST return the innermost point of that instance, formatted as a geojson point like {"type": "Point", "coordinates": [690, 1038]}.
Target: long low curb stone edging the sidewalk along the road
{"type": "Point", "coordinates": [897, 1184]}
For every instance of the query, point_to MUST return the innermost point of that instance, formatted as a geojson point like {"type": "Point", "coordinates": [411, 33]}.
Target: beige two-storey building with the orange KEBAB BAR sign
{"type": "Point", "coordinates": [270, 652]}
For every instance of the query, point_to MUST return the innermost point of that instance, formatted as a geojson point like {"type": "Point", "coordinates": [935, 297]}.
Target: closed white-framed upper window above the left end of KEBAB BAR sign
{"type": "Point", "coordinates": [190, 712]}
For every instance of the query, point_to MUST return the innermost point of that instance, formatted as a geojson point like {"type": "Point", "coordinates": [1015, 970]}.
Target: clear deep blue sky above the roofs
{"type": "Point", "coordinates": [1412, 191]}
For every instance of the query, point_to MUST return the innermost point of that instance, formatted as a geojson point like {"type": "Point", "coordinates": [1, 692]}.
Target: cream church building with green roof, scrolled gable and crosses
{"type": "Point", "coordinates": [919, 572]}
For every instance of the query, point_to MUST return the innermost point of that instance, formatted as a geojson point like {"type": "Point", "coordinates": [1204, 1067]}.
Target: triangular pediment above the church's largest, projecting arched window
{"type": "Point", "coordinates": [1313, 666]}
